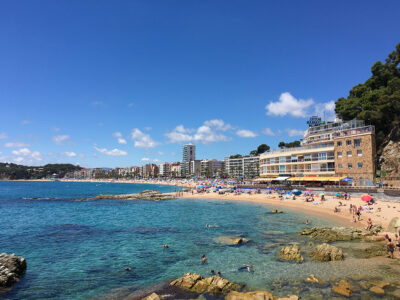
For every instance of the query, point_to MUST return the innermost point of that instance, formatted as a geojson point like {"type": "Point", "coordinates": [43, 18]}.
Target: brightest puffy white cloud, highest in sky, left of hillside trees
{"type": "Point", "coordinates": [289, 105]}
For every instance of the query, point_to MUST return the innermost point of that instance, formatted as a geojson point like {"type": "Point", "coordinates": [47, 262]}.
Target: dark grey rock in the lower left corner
{"type": "Point", "coordinates": [12, 267]}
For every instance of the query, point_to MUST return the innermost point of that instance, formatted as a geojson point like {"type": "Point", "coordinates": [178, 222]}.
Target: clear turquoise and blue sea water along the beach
{"type": "Point", "coordinates": [79, 250]}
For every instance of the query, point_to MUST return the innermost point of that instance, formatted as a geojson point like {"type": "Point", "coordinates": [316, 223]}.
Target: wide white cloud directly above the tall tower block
{"type": "Point", "coordinates": [210, 132]}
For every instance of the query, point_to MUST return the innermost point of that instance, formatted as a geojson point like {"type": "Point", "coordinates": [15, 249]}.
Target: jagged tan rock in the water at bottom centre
{"type": "Point", "coordinates": [196, 283]}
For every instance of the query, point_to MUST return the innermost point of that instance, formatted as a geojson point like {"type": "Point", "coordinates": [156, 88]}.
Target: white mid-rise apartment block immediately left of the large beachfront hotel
{"type": "Point", "coordinates": [242, 167]}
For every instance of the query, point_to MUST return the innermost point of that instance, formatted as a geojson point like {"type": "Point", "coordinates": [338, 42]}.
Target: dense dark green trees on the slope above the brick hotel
{"type": "Point", "coordinates": [377, 100]}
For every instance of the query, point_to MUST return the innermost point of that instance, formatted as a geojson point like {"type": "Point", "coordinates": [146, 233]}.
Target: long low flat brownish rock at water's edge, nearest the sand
{"type": "Point", "coordinates": [332, 234]}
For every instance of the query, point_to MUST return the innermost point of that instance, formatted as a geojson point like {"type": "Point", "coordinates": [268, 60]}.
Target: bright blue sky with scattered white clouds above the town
{"type": "Point", "coordinates": [121, 83]}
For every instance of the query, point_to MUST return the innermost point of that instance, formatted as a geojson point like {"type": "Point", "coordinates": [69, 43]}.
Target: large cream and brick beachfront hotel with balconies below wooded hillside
{"type": "Point", "coordinates": [334, 152]}
